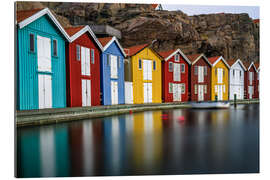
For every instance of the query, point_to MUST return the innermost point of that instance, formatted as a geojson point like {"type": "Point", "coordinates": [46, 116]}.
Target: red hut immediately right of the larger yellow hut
{"type": "Point", "coordinates": [175, 70]}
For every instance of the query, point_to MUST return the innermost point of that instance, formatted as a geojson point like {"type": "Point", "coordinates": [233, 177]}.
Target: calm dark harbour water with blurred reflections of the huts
{"type": "Point", "coordinates": [179, 141]}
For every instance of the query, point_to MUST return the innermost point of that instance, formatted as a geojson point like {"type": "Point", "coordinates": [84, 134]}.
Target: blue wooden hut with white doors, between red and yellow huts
{"type": "Point", "coordinates": [112, 71]}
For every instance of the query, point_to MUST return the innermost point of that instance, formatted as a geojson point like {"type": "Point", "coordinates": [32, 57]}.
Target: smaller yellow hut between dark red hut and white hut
{"type": "Point", "coordinates": [219, 78]}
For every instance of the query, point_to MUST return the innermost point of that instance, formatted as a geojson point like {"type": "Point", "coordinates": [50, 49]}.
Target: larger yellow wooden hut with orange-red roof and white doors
{"type": "Point", "coordinates": [143, 69]}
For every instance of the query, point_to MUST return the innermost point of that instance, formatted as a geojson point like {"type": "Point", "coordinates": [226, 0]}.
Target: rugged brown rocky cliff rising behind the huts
{"type": "Point", "coordinates": [230, 35]}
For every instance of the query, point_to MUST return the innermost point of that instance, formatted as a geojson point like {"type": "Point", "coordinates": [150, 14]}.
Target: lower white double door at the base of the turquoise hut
{"type": "Point", "coordinates": [44, 91]}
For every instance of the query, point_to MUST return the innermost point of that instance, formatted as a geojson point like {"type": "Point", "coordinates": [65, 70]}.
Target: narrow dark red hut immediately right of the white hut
{"type": "Point", "coordinates": [250, 80]}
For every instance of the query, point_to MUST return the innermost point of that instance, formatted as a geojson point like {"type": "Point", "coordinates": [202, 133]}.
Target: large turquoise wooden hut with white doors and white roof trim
{"type": "Point", "coordinates": [40, 62]}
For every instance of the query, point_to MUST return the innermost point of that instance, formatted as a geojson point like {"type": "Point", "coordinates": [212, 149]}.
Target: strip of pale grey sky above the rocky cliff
{"type": "Point", "coordinates": [253, 11]}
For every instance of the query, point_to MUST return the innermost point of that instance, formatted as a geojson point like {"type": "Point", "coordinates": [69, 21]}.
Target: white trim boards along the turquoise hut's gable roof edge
{"type": "Point", "coordinates": [41, 13]}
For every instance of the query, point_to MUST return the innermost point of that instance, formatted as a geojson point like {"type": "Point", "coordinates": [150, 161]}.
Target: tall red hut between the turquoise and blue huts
{"type": "Point", "coordinates": [83, 67]}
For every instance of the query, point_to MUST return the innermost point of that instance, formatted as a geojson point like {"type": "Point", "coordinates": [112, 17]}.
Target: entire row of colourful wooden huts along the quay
{"type": "Point", "coordinates": [70, 67]}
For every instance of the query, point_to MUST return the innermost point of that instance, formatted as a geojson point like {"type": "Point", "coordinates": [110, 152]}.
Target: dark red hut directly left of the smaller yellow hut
{"type": "Point", "coordinates": [200, 78]}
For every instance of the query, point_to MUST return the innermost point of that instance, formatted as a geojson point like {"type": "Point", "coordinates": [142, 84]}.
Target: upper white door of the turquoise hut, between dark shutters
{"type": "Point", "coordinates": [44, 53]}
